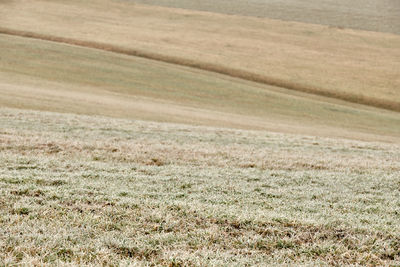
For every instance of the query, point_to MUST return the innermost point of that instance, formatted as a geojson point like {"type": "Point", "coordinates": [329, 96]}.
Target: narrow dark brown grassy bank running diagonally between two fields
{"type": "Point", "coordinates": [236, 73]}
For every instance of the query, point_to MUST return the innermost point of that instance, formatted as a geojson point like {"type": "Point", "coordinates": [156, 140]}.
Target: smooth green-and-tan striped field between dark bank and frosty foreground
{"type": "Point", "coordinates": [57, 77]}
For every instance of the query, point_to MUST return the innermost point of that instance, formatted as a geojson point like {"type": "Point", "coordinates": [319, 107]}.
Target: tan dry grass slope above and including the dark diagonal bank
{"type": "Point", "coordinates": [356, 66]}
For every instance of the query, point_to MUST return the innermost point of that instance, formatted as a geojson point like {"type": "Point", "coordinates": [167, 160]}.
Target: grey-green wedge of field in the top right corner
{"type": "Point", "coordinates": [371, 15]}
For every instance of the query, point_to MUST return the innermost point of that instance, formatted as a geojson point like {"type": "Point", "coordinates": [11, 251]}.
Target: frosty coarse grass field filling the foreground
{"type": "Point", "coordinates": [88, 190]}
